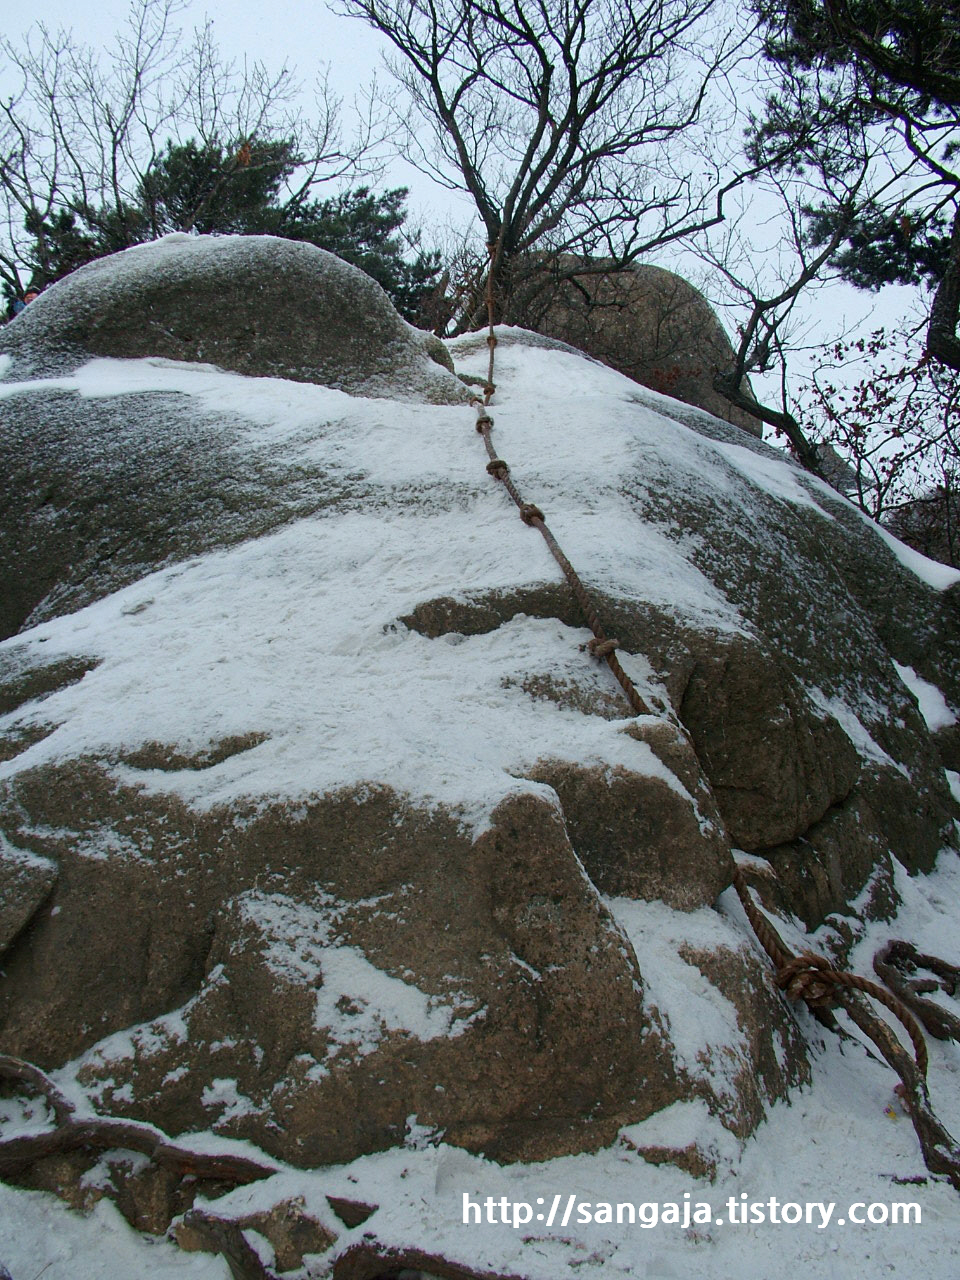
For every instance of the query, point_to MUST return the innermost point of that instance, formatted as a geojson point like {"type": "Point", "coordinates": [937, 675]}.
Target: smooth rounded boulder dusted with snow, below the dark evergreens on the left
{"type": "Point", "coordinates": [254, 305]}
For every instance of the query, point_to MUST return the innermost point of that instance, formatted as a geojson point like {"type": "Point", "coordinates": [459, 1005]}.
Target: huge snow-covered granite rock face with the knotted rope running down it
{"type": "Point", "coordinates": [316, 816]}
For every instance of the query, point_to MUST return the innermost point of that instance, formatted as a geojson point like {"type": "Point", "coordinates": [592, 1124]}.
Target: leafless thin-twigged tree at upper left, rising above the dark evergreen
{"type": "Point", "coordinates": [81, 130]}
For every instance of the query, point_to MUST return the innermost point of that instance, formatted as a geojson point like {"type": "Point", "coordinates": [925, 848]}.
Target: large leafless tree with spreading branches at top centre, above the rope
{"type": "Point", "coordinates": [582, 130]}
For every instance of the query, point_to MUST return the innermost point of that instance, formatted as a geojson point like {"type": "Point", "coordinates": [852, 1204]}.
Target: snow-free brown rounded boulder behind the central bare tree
{"type": "Point", "coordinates": [648, 323]}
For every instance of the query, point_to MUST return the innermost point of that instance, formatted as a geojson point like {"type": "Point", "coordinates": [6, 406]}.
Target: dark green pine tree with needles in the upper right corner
{"type": "Point", "coordinates": [893, 70]}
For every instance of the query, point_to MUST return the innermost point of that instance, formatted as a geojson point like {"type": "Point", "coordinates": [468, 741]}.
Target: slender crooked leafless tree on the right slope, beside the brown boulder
{"type": "Point", "coordinates": [816, 166]}
